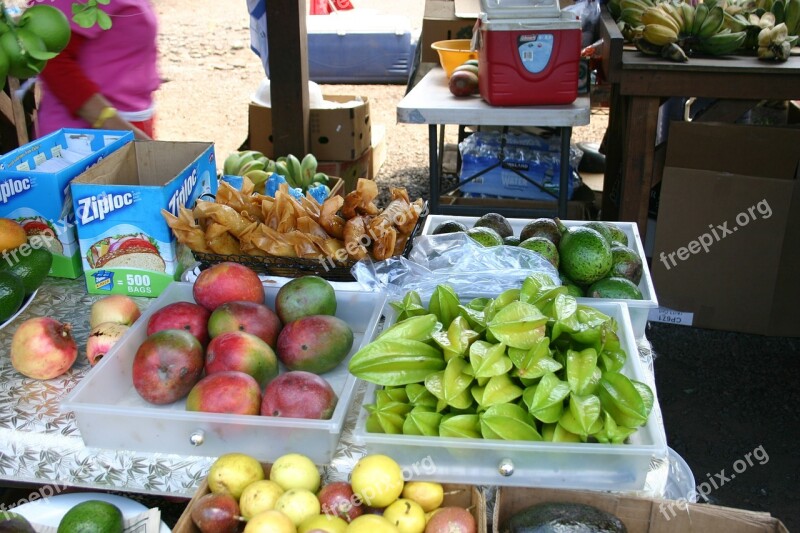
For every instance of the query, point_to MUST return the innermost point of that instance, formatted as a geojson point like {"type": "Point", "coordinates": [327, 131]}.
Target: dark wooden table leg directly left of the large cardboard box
{"type": "Point", "coordinates": [638, 146]}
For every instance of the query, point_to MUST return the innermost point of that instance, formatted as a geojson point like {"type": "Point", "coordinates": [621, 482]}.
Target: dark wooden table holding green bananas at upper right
{"type": "Point", "coordinates": [640, 83]}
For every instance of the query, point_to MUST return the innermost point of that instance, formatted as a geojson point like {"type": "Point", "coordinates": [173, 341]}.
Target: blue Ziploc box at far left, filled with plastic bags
{"type": "Point", "coordinates": [34, 188]}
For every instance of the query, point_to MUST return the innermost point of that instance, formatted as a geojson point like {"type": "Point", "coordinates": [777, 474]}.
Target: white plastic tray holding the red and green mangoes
{"type": "Point", "coordinates": [111, 414]}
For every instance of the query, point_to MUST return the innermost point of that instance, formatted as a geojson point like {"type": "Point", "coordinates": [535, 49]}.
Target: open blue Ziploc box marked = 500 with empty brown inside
{"type": "Point", "coordinates": [126, 245]}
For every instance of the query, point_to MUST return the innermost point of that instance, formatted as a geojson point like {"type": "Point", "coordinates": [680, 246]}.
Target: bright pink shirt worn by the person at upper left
{"type": "Point", "coordinates": [122, 61]}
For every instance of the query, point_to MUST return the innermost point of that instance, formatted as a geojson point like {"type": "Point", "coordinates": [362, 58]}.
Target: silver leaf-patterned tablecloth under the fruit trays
{"type": "Point", "coordinates": [41, 444]}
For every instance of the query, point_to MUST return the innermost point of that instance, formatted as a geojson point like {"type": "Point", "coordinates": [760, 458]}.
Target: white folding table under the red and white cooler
{"type": "Point", "coordinates": [430, 102]}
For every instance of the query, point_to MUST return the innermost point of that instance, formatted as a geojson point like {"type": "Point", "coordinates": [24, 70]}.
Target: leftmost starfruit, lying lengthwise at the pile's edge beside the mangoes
{"type": "Point", "coordinates": [395, 362]}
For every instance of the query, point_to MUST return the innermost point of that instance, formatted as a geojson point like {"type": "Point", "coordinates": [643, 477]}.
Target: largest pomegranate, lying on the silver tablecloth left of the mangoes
{"type": "Point", "coordinates": [43, 348]}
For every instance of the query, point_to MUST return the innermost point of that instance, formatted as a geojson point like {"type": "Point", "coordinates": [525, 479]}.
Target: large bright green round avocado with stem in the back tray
{"type": "Point", "coordinates": [585, 254]}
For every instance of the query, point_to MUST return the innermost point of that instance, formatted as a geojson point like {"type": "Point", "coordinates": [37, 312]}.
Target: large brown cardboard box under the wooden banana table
{"type": "Point", "coordinates": [727, 246]}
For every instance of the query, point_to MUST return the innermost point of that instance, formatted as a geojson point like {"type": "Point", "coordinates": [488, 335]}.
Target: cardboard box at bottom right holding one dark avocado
{"type": "Point", "coordinates": [641, 515]}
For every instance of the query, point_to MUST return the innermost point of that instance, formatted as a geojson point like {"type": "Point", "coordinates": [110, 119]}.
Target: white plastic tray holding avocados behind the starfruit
{"type": "Point", "coordinates": [639, 309]}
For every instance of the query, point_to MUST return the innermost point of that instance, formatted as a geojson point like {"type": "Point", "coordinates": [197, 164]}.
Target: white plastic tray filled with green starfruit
{"type": "Point", "coordinates": [592, 466]}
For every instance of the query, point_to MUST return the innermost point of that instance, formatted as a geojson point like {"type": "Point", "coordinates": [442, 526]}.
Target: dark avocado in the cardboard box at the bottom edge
{"type": "Point", "coordinates": [561, 517]}
